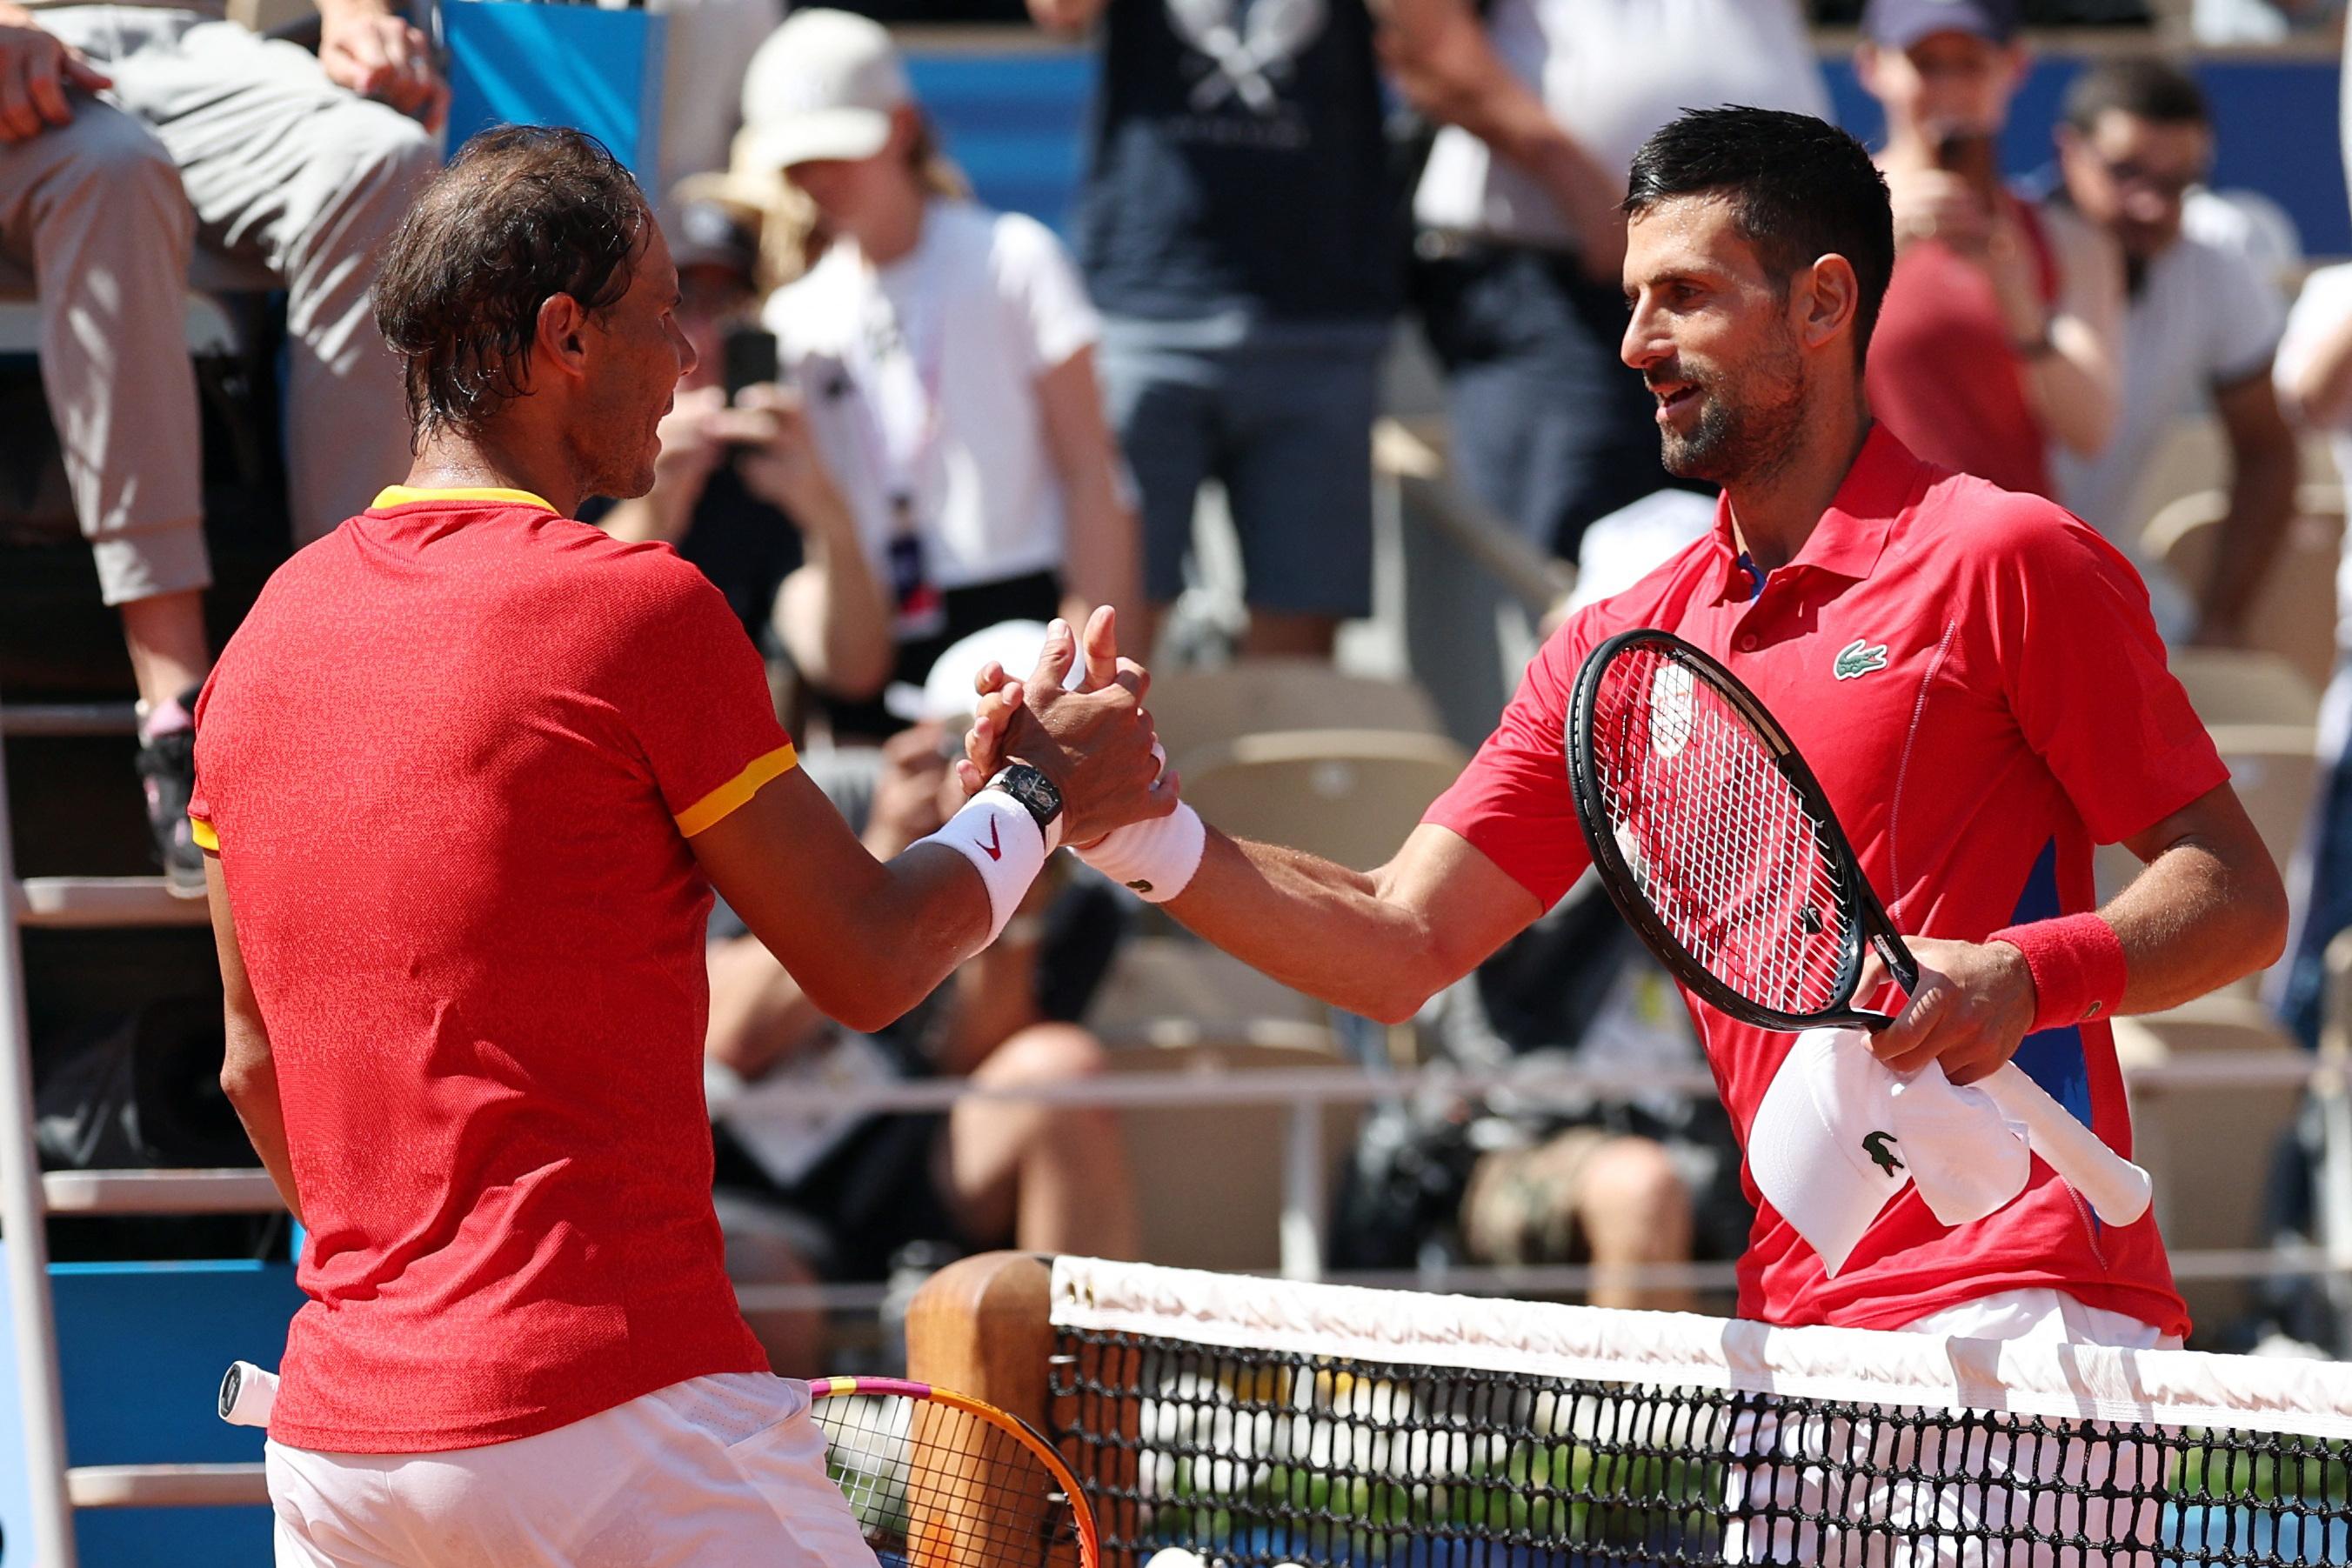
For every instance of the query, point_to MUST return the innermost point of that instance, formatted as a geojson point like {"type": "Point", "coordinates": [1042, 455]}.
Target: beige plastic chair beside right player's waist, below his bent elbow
{"type": "Point", "coordinates": [2210, 1146]}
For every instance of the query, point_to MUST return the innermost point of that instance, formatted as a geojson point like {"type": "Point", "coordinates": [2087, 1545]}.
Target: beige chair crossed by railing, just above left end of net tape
{"type": "Point", "coordinates": [1210, 1179]}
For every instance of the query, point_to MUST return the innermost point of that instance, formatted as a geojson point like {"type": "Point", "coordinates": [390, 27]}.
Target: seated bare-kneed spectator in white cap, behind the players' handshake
{"type": "Point", "coordinates": [841, 1195]}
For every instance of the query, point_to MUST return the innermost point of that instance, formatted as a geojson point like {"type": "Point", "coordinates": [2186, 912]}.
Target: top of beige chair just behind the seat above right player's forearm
{"type": "Point", "coordinates": [1198, 709]}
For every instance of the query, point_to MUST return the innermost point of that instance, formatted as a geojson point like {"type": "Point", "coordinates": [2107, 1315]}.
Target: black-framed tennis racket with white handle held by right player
{"type": "Point", "coordinates": [1725, 857]}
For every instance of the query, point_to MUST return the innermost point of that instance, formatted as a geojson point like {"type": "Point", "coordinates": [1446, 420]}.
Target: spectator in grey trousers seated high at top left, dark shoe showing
{"type": "Point", "coordinates": [208, 135]}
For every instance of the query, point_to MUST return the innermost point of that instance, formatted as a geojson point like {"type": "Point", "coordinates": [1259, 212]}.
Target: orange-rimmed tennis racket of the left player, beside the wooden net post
{"type": "Point", "coordinates": [935, 1480]}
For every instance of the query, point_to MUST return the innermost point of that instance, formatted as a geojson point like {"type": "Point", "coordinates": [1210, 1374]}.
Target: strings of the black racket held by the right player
{"type": "Point", "coordinates": [1720, 843]}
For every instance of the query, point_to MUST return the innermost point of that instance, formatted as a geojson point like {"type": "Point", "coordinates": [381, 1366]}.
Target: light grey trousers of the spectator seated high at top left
{"type": "Point", "coordinates": [208, 138]}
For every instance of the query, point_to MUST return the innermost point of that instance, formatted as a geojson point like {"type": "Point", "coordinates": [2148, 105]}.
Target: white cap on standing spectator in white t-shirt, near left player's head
{"type": "Point", "coordinates": [822, 86]}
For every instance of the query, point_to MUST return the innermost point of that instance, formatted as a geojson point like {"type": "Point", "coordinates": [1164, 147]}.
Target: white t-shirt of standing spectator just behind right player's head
{"type": "Point", "coordinates": [1615, 72]}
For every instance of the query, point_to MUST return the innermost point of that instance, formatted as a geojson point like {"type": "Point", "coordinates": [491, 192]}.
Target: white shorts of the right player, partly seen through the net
{"type": "Point", "coordinates": [1937, 1496]}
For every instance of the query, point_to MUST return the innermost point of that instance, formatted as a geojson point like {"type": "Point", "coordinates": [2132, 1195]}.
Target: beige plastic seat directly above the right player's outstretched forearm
{"type": "Point", "coordinates": [1349, 796]}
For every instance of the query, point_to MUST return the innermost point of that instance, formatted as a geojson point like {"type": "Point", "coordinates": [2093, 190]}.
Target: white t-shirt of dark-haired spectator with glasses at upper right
{"type": "Point", "coordinates": [2203, 319]}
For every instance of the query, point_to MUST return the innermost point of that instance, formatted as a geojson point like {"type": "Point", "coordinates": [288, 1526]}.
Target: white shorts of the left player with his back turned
{"type": "Point", "coordinates": [711, 1470]}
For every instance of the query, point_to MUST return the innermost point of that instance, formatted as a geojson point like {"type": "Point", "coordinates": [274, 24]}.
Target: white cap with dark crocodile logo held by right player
{"type": "Point", "coordinates": [1838, 1137]}
